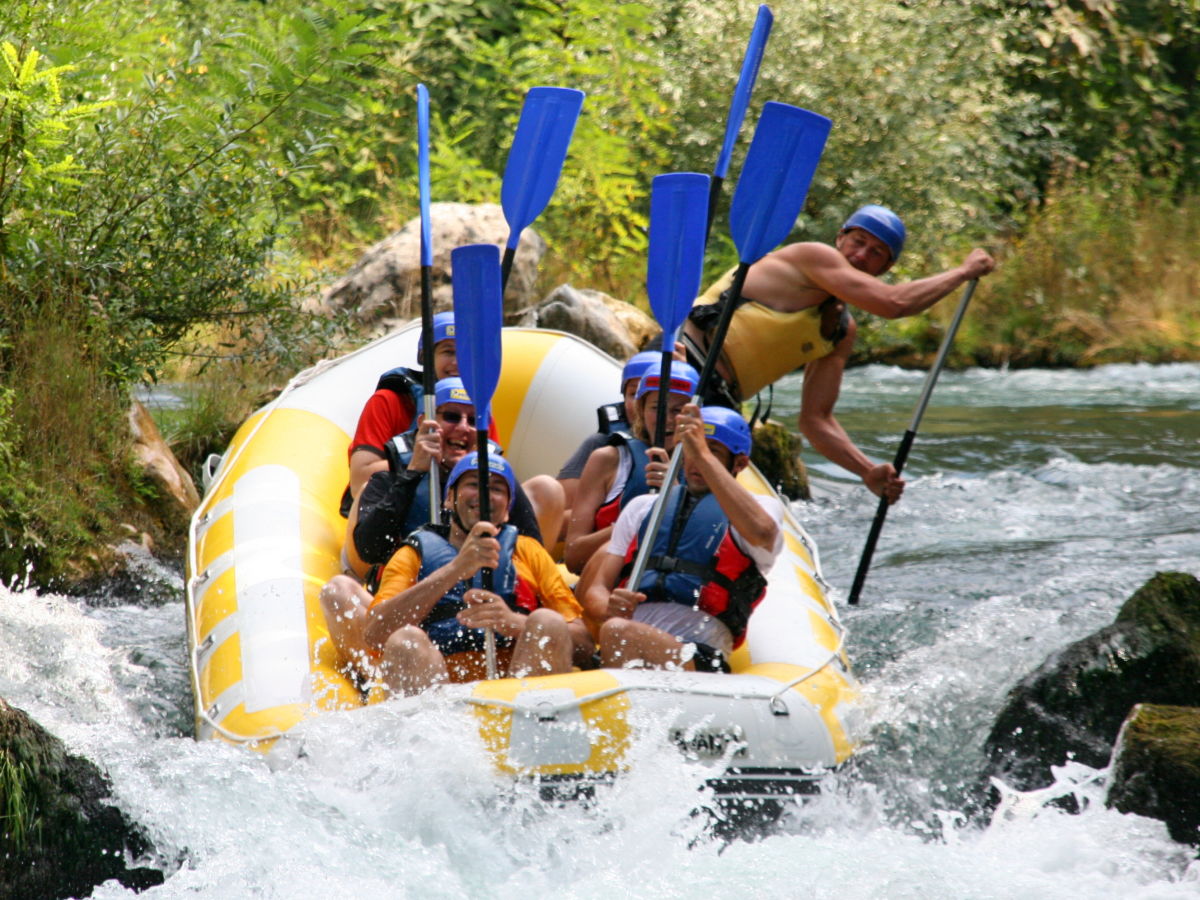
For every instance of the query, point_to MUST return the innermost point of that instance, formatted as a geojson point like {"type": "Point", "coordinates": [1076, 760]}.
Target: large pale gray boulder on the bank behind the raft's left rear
{"type": "Point", "coordinates": [386, 285]}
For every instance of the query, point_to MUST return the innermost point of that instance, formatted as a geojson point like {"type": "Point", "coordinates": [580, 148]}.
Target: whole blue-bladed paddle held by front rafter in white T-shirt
{"type": "Point", "coordinates": [776, 178]}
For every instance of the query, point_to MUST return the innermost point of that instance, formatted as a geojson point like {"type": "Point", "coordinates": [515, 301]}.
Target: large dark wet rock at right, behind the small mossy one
{"type": "Point", "coordinates": [1073, 706]}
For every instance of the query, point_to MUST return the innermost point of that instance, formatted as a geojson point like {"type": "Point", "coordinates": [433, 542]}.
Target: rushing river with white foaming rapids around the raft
{"type": "Point", "coordinates": [1037, 502]}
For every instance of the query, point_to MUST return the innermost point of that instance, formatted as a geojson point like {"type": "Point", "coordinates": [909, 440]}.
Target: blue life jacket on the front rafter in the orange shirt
{"type": "Point", "coordinates": [434, 548]}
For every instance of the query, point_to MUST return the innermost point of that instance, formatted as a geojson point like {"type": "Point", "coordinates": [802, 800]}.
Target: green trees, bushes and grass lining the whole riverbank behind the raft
{"type": "Point", "coordinates": [175, 179]}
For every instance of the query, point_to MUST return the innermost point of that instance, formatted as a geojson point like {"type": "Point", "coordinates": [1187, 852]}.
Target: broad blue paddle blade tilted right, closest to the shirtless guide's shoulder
{"type": "Point", "coordinates": [776, 178]}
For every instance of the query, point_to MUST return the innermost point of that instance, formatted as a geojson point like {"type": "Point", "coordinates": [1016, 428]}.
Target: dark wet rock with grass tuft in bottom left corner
{"type": "Point", "coordinates": [59, 835]}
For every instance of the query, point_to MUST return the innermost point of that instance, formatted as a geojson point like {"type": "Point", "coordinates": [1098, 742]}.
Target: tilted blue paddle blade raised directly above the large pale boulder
{"type": "Point", "coordinates": [536, 160]}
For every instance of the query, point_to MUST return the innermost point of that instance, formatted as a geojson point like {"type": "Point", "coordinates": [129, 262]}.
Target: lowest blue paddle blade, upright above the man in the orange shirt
{"type": "Point", "coordinates": [479, 315]}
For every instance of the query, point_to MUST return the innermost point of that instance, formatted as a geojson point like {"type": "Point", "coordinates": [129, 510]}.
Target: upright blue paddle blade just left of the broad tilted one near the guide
{"type": "Point", "coordinates": [676, 262]}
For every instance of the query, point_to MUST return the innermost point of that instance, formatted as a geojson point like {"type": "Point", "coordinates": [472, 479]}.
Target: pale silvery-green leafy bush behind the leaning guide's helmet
{"type": "Point", "coordinates": [922, 117]}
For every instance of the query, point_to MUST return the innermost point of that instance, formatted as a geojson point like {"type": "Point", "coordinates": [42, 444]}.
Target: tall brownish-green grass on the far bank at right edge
{"type": "Point", "coordinates": [1106, 271]}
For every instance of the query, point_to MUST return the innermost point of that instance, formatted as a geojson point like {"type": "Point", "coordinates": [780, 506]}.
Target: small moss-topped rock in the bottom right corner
{"type": "Point", "coordinates": [1156, 769]}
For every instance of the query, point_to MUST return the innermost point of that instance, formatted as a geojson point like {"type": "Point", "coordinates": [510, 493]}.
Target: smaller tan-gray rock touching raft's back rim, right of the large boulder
{"type": "Point", "coordinates": [615, 327]}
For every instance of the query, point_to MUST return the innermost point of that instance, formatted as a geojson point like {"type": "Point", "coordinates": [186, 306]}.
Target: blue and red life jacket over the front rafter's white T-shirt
{"type": "Point", "coordinates": [697, 563]}
